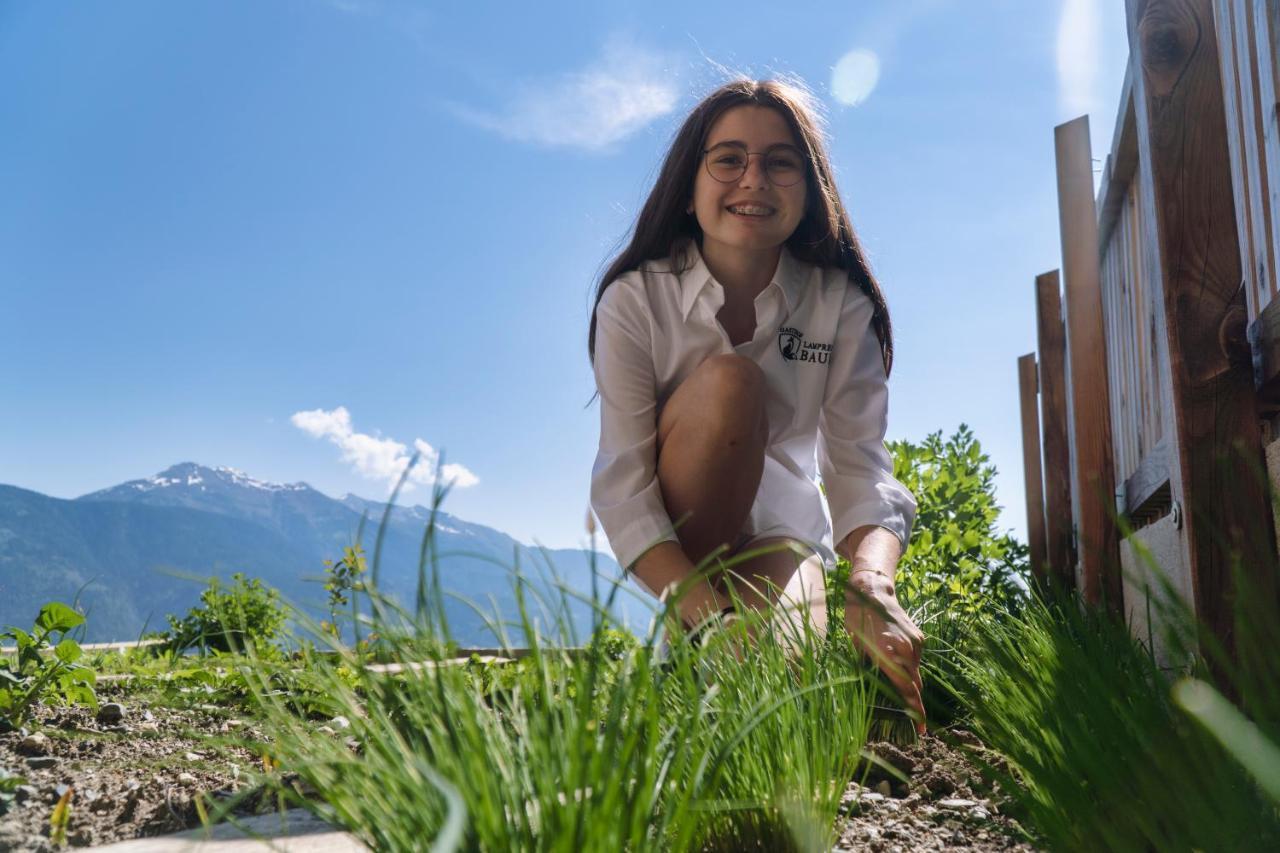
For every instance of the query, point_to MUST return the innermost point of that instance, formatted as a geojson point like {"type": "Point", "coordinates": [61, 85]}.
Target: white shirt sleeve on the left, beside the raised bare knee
{"type": "Point", "coordinates": [625, 491]}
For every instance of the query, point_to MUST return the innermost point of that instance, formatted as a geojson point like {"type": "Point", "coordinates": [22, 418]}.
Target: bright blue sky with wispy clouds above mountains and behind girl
{"type": "Point", "coordinates": [301, 238]}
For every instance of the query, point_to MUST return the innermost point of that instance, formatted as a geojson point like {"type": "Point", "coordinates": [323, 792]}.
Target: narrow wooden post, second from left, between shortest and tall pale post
{"type": "Point", "coordinates": [1060, 554]}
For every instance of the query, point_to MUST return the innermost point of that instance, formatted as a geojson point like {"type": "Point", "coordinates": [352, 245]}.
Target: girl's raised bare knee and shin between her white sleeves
{"type": "Point", "coordinates": [712, 435]}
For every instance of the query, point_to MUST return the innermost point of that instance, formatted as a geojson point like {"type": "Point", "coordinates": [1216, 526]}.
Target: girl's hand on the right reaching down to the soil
{"type": "Point", "coordinates": [883, 630]}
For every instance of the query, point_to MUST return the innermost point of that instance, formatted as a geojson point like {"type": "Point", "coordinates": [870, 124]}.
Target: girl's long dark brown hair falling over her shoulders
{"type": "Point", "coordinates": [825, 236]}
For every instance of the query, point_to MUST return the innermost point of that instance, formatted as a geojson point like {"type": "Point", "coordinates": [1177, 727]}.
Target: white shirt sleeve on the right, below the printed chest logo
{"type": "Point", "coordinates": [856, 467]}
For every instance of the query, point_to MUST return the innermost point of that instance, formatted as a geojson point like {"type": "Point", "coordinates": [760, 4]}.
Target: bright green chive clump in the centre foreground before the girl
{"type": "Point", "coordinates": [746, 741]}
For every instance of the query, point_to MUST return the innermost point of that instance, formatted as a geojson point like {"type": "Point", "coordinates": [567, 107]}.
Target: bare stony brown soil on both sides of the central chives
{"type": "Point", "coordinates": [140, 777]}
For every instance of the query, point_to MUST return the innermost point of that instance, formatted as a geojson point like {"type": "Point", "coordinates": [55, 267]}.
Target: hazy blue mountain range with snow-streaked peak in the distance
{"type": "Point", "coordinates": [145, 549]}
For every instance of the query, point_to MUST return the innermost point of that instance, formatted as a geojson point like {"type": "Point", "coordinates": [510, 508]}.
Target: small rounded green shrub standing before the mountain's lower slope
{"type": "Point", "coordinates": [230, 618]}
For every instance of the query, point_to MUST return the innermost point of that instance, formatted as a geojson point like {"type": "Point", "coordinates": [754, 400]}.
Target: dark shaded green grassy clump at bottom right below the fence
{"type": "Point", "coordinates": [1112, 752]}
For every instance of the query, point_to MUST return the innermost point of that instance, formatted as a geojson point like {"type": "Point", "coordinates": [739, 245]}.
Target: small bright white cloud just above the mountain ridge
{"type": "Point", "coordinates": [381, 459]}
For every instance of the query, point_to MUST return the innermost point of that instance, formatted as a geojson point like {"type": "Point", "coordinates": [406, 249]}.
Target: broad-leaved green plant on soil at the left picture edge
{"type": "Point", "coordinates": [44, 670]}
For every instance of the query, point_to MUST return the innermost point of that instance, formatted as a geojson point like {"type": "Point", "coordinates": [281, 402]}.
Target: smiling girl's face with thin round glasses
{"type": "Point", "coordinates": [753, 213]}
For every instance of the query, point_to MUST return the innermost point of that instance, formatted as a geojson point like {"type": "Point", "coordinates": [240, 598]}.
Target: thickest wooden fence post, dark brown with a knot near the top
{"type": "Point", "coordinates": [1183, 147]}
